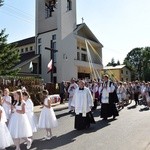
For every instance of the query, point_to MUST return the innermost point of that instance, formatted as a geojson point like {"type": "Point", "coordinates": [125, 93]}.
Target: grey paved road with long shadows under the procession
{"type": "Point", "coordinates": [130, 131]}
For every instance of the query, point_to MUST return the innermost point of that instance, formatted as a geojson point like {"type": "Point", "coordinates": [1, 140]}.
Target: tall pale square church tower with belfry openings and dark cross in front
{"type": "Point", "coordinates": [55, 23]}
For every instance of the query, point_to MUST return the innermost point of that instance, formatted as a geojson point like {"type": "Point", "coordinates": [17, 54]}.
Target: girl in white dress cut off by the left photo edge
{"type": "Point", "coordinates": [6, 139]}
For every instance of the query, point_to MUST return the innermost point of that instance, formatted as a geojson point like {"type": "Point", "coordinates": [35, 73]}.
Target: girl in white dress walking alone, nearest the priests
{"type": "Point", "coordinates": [47, 119]}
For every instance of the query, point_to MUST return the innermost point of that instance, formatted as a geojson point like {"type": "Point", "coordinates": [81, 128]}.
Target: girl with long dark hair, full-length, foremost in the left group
{"type": "Point", "coordinates": [19, 125]}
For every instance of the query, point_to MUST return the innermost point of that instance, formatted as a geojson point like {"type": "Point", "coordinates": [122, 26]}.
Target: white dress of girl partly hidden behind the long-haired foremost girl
{"type": "Point", "coordinates": [30, 114]}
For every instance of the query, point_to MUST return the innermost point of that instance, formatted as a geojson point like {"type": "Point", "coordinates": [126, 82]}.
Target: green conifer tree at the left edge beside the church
{"type": "Point", "coordinates": [9, 56]}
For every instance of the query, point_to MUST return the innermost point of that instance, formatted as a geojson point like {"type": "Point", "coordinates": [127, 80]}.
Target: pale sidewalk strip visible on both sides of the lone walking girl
{"type": "Point", "coordinates": [56, 106]}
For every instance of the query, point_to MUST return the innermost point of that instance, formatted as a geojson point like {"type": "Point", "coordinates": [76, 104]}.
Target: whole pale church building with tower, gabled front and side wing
{"type": "Point", "coordinates": [73, 48]}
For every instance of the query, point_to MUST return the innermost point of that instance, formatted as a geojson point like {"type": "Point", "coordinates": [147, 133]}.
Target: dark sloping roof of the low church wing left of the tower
{"type": "Point", "coordinates": [26, 41]}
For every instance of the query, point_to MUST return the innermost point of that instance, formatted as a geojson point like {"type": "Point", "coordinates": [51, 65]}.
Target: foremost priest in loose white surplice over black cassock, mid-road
{"type": "Point", "coordinates": [82, 103]}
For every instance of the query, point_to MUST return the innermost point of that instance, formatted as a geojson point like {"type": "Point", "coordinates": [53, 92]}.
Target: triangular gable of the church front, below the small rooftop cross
{"type": "Point", "coordinates": [84, 31]}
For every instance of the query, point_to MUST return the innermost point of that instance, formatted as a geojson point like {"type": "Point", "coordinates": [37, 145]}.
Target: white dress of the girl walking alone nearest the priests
{"type": "Point", "coordinates": [47, 117]}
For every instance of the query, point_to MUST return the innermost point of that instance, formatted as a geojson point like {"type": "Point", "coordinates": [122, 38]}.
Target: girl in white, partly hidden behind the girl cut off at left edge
{"type": "Point", "coordinates": [7, 103]}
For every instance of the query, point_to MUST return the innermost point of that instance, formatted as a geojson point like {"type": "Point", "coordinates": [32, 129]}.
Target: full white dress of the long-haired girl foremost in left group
{"type": "Point", "coordinates": [19, 125]}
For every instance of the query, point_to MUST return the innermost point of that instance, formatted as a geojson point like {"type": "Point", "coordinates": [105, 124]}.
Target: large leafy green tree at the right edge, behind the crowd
{"type": "Point", "coordinates": [138, 61]}
